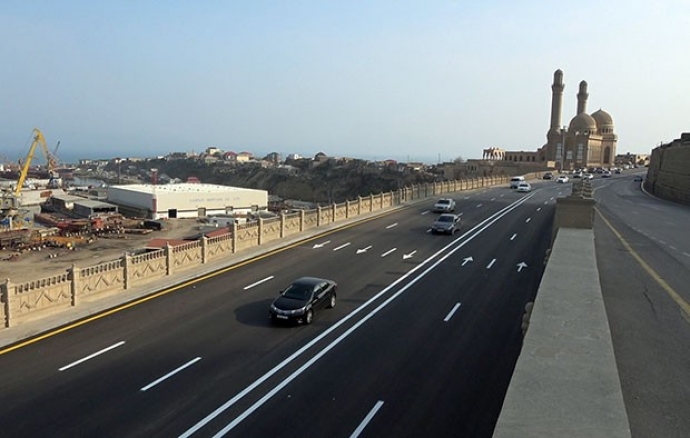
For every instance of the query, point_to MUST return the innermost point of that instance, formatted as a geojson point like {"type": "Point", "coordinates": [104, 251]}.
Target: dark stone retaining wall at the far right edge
{"type": "Point", "coordinates": [668, 176]}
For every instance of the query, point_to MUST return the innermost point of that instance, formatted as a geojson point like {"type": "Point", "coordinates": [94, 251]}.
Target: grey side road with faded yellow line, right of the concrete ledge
{"type": "Point", "coordinates": [643, 252]}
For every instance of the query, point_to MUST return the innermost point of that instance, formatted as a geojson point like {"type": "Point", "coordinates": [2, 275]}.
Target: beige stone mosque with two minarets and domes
{"type": "Point", "coordinates": [589, 141]}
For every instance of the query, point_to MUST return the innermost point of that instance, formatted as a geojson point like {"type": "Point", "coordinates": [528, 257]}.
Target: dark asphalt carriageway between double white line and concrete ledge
{"type": "Point", "coordinates": [435, 381]}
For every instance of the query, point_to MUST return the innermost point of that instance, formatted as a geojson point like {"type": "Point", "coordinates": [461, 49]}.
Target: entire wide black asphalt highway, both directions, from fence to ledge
{"type": "Point", "coordinates": [423, 339]}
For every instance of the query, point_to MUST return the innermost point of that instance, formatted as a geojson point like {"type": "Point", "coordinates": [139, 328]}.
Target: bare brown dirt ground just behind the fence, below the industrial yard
{"type": "Point", "coordinates": [25, 266]}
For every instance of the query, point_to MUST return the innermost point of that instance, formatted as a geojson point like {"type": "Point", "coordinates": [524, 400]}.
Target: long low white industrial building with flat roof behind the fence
{"type": "Point", "coordinates": [186, 200]}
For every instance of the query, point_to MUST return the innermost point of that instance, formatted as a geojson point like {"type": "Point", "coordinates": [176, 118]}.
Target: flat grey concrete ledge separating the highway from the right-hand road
{"type": "Point", "coordinates": [566, 382]}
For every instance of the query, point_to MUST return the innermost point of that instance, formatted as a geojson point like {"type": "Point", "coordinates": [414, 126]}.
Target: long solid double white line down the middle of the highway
{"type": "Point", "coordinates": [451, 247]}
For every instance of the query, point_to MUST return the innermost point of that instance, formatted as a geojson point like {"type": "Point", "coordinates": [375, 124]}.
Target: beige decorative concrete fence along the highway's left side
{"type": "Point", "coordinates": [39, 298]}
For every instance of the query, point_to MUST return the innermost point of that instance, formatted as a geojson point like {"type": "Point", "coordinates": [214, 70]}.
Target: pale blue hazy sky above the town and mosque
{"type": "Point", "coordinates": [427, 81]}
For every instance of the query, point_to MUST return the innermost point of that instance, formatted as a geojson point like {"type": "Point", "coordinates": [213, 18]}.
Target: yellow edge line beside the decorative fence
{"type": "Point", "coordinates": [166, 291]}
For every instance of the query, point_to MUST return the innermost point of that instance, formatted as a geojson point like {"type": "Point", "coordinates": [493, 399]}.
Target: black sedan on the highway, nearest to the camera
{"type": "Point", "coordinates": [302, 299]}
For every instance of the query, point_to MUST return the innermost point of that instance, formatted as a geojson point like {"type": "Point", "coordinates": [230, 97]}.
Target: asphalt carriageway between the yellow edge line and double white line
{"type": "Point", "coordinates": [193, 347]}
